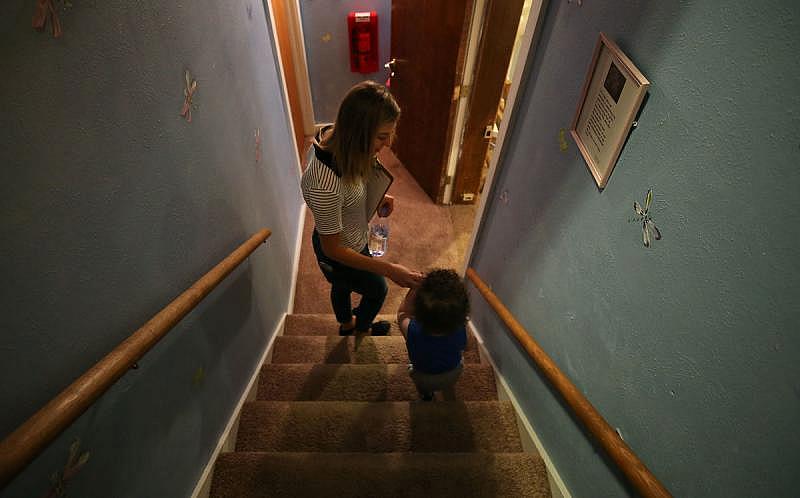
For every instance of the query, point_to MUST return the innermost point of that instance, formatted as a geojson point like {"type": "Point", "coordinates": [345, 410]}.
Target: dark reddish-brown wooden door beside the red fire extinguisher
{"type": "Point", "coordinates": [427, 37]}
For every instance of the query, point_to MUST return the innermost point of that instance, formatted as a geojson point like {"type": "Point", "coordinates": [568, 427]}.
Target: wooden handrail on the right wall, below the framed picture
{"type": "Point", "coordinates": [634, 470]}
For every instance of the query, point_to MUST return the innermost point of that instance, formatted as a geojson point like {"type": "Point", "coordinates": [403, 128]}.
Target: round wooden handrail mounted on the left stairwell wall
{"type": "Point", "coordinates": [30, 438]}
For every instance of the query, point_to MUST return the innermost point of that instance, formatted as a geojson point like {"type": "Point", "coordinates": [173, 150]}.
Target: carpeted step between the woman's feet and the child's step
{"type": "Point", "coordinates": [351, 349]}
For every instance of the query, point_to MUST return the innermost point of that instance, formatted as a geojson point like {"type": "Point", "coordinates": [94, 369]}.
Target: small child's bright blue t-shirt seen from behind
{"type": "Point", "coordinates": [433, 354]}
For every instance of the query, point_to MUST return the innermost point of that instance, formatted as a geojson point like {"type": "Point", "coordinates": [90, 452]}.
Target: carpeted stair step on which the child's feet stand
{"type": "Point", "coordinates": [350, 382]}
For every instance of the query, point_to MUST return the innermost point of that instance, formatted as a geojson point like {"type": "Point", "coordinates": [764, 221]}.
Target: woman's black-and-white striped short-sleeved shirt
{"type": "Point", "coordinates": [337, 206]}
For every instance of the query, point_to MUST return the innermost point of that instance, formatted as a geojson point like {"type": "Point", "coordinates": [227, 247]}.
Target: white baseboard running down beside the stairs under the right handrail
{"type": "Point", "coordinates": [530, 440]}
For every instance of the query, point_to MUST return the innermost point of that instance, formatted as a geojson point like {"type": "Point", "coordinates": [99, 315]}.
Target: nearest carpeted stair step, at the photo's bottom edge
{"type": "Point", "coordinates": [388, 475]}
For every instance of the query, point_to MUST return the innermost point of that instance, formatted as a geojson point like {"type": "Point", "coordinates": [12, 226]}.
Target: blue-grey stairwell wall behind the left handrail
{"type": "Point", "coordinates": [112, 205]}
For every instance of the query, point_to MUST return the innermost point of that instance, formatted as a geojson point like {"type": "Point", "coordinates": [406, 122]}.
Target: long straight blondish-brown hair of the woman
{"type": "Point", "coordinates": [364, 108]}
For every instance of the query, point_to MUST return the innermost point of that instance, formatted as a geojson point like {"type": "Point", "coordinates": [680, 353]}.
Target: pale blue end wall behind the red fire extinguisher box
{"type": "Point", "coordinates": [328, 49]}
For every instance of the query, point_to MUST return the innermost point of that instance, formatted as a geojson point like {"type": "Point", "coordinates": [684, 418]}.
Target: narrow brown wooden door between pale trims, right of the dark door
{"type": "Point", "coordinates": [497, 42]}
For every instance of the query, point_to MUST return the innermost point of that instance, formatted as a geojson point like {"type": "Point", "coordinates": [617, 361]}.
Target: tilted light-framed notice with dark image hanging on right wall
{"type": "Point", "coordinates": [611, 97]}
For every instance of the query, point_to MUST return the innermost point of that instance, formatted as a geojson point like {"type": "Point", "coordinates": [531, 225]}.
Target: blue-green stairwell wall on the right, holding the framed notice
{"type": "Point", "coordinates": [690, 347]}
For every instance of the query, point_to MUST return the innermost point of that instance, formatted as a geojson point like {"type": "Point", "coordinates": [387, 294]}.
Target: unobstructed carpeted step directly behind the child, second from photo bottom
{"type": "Point", "coordinates": [347, 426]}
